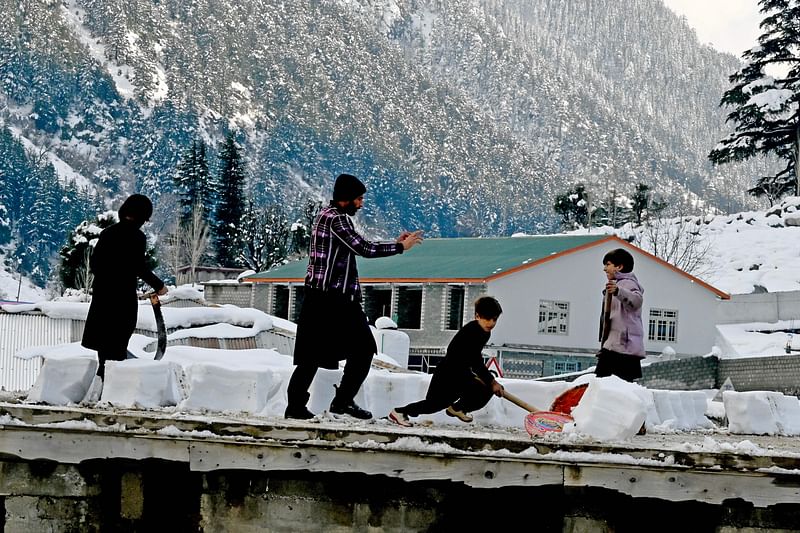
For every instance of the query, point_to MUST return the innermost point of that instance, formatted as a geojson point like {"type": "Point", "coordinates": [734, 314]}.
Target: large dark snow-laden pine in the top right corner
{"type": "Point", "coordinates": [765, 108]}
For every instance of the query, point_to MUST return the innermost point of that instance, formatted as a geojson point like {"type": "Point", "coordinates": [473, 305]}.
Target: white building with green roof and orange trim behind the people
{"type": "Point", "coordinates": [550, 288]}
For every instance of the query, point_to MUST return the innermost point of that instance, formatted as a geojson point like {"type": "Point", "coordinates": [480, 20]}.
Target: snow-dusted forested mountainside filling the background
{"type": "Point", "coordinates": [466, 117]}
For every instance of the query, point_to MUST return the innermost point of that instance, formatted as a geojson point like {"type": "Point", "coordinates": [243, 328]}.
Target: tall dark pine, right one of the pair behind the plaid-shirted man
{"type": "Point", "coordinates": [231, 203]}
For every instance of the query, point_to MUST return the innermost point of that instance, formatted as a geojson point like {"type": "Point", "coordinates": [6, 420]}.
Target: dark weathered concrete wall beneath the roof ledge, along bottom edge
{"type": "Point", "coordinates": [156, 495]}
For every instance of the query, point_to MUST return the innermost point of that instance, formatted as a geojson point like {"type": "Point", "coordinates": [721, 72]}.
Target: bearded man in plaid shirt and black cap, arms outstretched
{"type": "Point", "coordinates": [332, 325]}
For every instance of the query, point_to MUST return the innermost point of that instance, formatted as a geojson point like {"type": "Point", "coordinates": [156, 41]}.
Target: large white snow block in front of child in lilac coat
{"type": "Point", "coordinates": [610, 409]}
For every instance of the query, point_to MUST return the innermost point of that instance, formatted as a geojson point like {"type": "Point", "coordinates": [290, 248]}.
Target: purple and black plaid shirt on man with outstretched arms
{"type": "Point", "coordinates": [332, 253]}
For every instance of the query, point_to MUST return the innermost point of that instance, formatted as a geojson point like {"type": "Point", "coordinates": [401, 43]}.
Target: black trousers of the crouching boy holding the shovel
{"type": "Point", "coordinates": [464, 394]}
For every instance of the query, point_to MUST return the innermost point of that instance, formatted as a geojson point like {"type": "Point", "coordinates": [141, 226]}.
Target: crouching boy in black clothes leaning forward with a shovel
{"type": "Point", "coordinates": [454, 386]}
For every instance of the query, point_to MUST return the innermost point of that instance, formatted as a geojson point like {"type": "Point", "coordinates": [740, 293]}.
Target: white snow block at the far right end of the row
{"type": "Point", "coordinates": [762, 413]}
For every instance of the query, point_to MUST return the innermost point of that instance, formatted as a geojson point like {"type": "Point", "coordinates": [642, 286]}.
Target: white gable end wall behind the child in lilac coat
{"type": "Point", "coordinates": [578, 278]}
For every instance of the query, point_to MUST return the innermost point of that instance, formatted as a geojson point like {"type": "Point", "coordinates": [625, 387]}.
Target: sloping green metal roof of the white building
{"type": "Point", "coordinates": [452, 259]}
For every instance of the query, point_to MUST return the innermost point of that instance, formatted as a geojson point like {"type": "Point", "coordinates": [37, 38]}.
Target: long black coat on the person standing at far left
{"type": "Point", "coordinates": [118, 259]}
